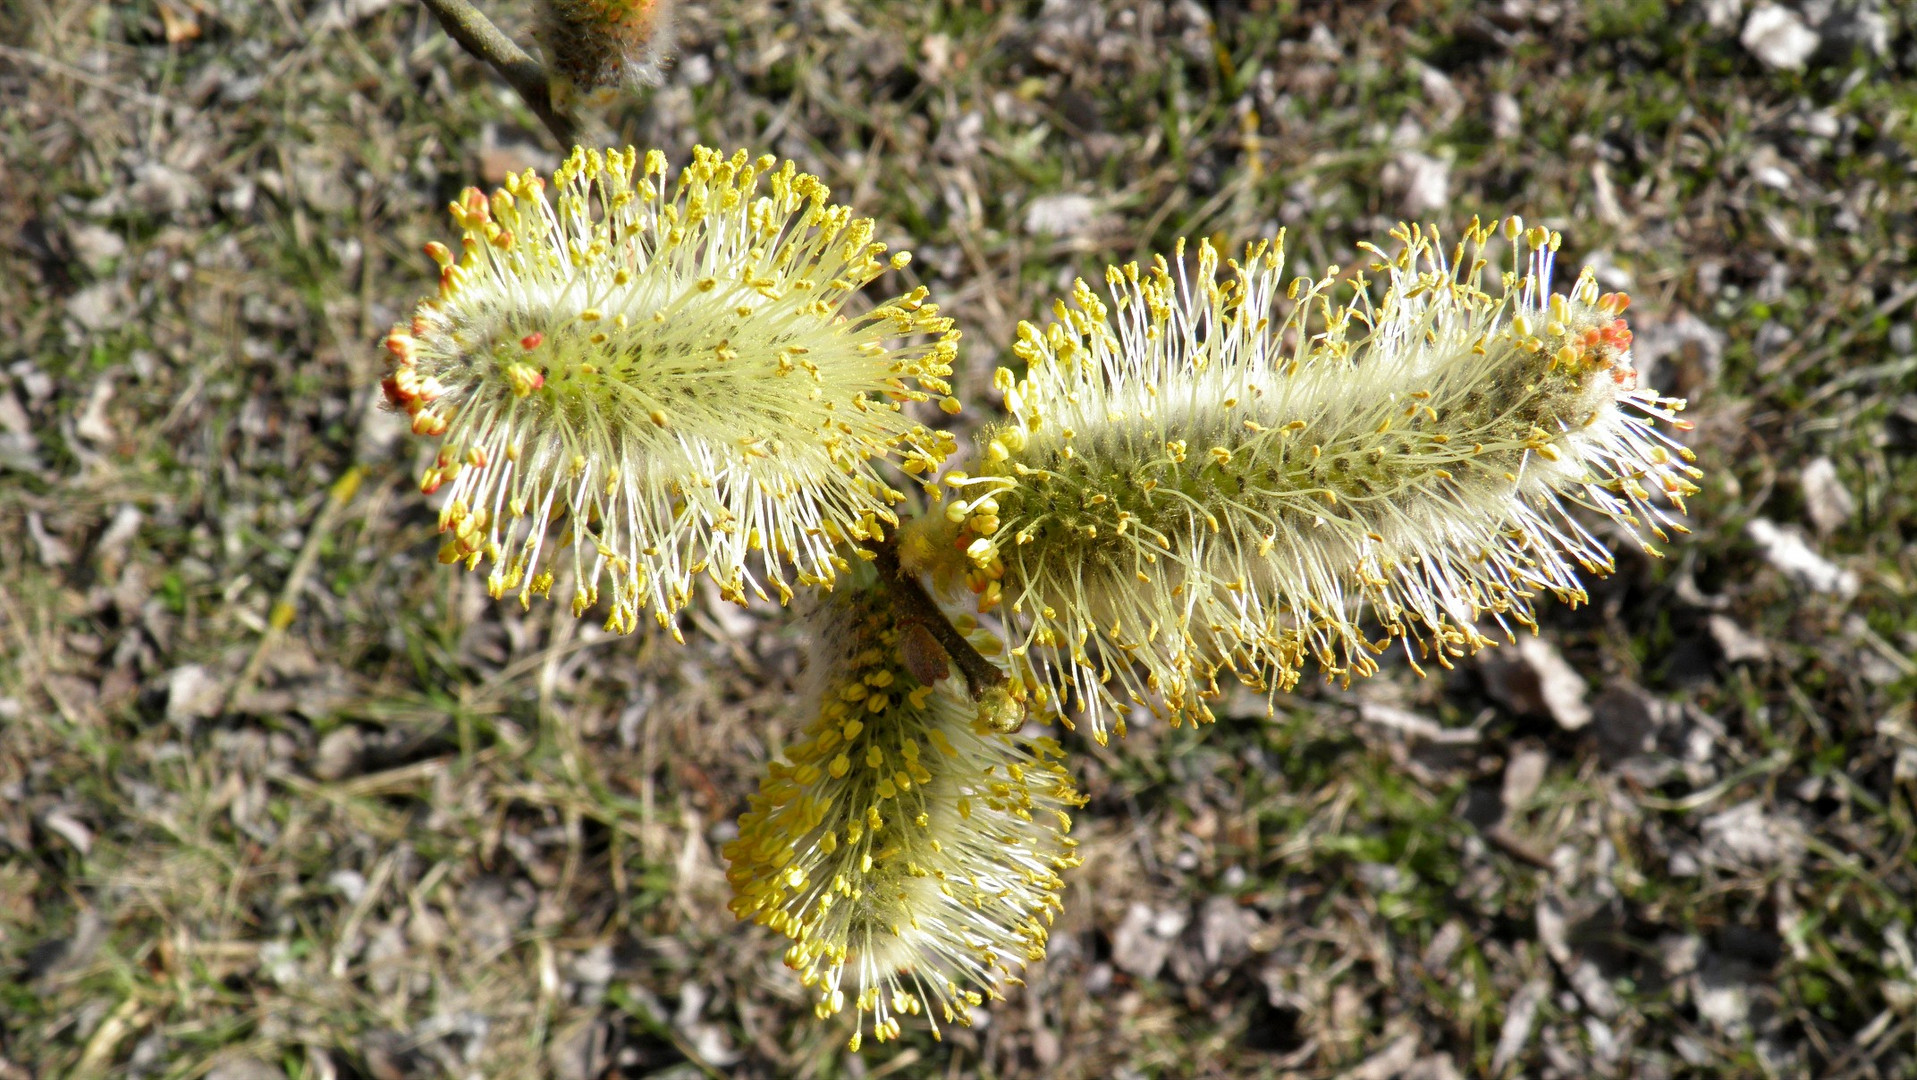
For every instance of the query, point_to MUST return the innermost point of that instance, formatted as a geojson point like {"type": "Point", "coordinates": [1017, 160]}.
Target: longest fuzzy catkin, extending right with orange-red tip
{"type": "Point", "coordinates": [1199, 481]}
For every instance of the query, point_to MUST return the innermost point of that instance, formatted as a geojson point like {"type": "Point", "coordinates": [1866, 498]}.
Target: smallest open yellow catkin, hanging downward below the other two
{"type": "Point", "coordinates": [910, 853]}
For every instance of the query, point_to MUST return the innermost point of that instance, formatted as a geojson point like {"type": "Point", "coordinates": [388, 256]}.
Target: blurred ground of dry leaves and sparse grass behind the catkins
{"type": "Point", "coordinates": [279, 797]}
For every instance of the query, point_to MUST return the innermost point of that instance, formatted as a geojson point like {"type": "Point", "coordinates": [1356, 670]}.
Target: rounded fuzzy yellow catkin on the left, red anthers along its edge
{"type": "Point", "coordinates": [670, 375]}
